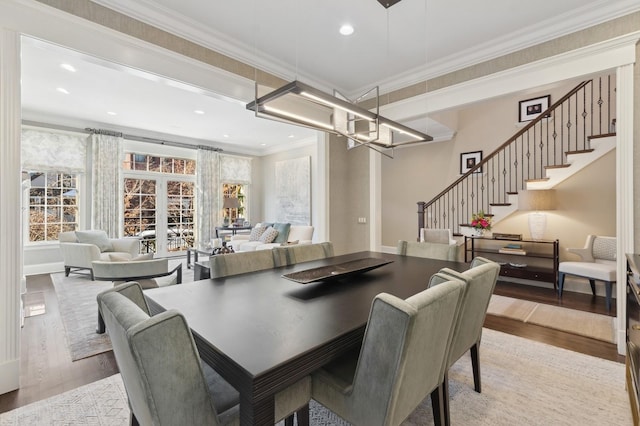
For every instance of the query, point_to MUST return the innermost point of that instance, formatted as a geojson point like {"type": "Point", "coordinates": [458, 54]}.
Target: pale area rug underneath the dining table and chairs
{"type": "Point", "coordinates": [523, 383]}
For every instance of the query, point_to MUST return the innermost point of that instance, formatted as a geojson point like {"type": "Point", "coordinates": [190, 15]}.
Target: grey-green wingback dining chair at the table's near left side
{"type": "Point", "coordinates": [165, 380]}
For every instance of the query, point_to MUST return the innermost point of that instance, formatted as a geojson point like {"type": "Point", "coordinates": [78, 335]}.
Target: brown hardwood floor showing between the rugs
{"type": "Point", "coordinates": [47, 369]}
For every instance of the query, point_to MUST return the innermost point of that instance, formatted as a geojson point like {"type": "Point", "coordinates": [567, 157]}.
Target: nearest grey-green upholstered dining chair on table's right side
{"type": "Point", "coordinates": [401, 361]}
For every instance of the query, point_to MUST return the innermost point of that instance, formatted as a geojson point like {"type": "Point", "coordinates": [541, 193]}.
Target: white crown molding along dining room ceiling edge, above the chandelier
{"type": "Point", "coordinates": [595, 13]}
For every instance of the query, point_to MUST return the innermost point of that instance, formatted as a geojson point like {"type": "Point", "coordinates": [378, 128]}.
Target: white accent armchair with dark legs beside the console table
{"type": "Point", "coordinates": [598, 264]}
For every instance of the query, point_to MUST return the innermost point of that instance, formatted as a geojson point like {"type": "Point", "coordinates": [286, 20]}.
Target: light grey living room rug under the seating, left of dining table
{"type": "Point", "coordinates": [79, 311]}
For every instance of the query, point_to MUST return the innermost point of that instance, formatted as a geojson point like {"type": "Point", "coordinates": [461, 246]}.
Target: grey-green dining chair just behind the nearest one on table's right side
{"type": "Point", "coordinates": [479, 282]}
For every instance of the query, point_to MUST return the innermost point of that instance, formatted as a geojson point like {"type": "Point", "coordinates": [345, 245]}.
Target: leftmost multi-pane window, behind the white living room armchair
{"type": "Point", "coordinates": [53, 205]}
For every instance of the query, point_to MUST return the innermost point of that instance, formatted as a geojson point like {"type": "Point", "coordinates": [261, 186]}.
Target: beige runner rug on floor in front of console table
{"type": "Point", "coordinates": [588, 324]}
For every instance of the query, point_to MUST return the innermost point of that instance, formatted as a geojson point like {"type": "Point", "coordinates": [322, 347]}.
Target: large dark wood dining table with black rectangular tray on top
{"type": "Point", "coordinates": [263, 332]}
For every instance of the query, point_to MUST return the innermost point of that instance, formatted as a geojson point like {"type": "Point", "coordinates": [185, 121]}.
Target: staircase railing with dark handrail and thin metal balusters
{"type": "Point", "coordinates": [565, 127]}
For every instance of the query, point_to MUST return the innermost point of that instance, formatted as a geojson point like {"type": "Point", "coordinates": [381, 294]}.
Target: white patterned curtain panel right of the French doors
{"type": "Point", "coordinates": [208, 210]}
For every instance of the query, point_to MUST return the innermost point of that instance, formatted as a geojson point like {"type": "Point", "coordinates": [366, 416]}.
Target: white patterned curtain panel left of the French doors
{"type": "Point", "coordinates": [108, 154]}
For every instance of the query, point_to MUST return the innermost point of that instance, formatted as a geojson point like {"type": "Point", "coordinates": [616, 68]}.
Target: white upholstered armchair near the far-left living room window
{"type": "Point", "coordinates": [80, 248]}
